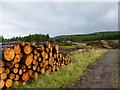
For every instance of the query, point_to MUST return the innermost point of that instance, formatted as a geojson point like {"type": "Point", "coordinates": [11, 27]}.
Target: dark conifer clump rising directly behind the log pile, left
{"type": "Point", "coordinates": [33, 37]}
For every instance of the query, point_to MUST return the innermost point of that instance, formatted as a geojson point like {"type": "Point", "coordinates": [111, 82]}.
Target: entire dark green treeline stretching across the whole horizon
{"type": "Point", "coordinates": [113, 35]}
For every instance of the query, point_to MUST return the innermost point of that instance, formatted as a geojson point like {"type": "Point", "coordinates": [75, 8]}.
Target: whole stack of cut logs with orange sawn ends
{"type": "Point", "coordinates": [27, 60]}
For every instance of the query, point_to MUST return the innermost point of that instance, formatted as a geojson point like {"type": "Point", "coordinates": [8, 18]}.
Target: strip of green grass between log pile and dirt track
{"type": "Point", "coordinates": [69, 73]}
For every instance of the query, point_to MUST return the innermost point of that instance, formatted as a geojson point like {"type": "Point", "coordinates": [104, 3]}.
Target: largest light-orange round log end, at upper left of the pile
{"type": "Point", "coordinates": [9, 54]}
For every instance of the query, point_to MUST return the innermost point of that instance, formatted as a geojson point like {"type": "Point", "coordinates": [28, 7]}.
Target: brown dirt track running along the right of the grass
{"type": "Point", "coordinates": [101, 76]}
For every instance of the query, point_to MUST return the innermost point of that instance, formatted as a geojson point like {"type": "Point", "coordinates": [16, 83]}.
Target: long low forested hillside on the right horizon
{"type": "Point", "coordinates": [90, 37]}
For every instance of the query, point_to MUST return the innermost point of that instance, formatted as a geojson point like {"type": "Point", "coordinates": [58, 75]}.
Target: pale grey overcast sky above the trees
{"type": "Point", "coordinates": [21, 19]}
